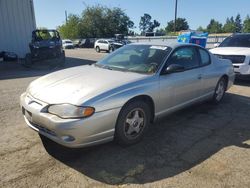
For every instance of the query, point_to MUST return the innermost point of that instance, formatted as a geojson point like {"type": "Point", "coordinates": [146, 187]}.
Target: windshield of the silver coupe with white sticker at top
{"type": "Point", "coordinates": [144, 59]}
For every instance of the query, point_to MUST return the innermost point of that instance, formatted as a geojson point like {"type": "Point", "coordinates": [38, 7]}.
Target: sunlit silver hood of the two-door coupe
{"type": "Point", "coordinates": [79, 84]}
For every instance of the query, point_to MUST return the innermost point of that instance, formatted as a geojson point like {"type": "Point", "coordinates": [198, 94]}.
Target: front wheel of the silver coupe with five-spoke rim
{"type": "Point", "coordinates": [132, 123]}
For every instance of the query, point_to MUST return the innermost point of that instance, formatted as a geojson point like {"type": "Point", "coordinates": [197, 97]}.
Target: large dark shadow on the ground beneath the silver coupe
{"type": "Point", "coordinates": [172, 145]}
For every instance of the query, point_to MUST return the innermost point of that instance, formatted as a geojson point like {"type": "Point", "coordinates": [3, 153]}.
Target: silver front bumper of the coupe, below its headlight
{"type": "Point", "coordinates": [74, 133]}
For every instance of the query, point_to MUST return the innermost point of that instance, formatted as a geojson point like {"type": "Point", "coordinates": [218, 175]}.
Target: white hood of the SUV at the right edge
{"type": "Point", "coordinates": [231, 51]}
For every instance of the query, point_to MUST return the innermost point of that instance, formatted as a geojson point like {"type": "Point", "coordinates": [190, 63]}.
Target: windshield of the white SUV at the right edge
{"type": "Point", "coordinates": [236, 41]}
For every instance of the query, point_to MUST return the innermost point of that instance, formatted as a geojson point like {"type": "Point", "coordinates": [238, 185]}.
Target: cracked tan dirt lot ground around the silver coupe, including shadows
{"type": "Point", "coordinates": [201, 146]}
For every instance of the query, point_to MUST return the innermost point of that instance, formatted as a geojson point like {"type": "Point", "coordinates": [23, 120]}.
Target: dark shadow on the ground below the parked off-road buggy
{"type": "Point", "coordinates": [11, 70]}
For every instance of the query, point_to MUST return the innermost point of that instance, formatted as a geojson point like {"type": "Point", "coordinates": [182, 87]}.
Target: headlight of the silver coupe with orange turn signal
{"type": "Point", "coordinates": [67, 111]}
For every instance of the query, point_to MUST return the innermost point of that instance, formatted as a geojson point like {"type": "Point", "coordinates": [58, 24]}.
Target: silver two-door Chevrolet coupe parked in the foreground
{"type": "Point", "coordinates": [122, 94]}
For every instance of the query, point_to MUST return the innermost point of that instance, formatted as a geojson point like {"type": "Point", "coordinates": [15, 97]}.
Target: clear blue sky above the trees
{"type": "Point", "coordinates": [51, 13]}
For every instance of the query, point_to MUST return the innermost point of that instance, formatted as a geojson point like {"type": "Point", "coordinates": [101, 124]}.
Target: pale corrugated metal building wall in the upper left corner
{"type": "Point", "coordinates": [17, 21]}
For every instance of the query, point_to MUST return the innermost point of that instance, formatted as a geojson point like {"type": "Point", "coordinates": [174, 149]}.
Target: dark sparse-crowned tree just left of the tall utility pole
{"type": "Point", "coordinates": [146, 25]}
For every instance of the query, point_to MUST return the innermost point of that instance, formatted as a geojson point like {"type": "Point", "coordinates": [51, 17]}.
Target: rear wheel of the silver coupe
{"type": "Point", "coordinates": [219, 91]}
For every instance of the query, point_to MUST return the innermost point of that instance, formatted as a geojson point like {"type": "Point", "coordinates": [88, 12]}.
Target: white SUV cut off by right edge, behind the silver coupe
{"type": "Point", "coordinates": [237, 49]}
